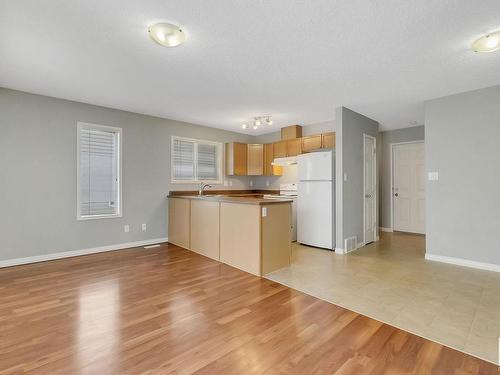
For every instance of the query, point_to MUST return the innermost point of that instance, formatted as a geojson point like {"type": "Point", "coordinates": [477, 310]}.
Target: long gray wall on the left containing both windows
{"type": "Point", "coordinates": [38, 174]}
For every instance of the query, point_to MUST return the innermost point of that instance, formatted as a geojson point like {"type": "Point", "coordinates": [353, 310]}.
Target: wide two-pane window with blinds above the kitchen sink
{"type": "Point", "coordinates": [195, 161]}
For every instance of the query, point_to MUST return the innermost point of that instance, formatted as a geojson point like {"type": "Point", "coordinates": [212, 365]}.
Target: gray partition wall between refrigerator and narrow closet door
{"type": "Point", "coordinates": [349, 202]}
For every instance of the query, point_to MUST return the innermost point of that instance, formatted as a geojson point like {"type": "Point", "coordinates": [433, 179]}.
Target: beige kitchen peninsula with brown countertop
{"type": "Point", "coordinates": [245, 231]}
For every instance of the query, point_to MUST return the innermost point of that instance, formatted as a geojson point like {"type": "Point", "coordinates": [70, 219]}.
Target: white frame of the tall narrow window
{"type": "Point", "coordinates": [119, 131]}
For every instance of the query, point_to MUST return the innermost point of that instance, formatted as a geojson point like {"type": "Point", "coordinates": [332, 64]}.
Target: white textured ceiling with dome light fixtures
{"type": "Point", "coordinates": [296, 60]}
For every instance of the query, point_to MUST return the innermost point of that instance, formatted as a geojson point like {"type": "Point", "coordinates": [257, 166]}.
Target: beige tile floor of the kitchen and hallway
{"type": "Point", "coordinates": [392, 282]}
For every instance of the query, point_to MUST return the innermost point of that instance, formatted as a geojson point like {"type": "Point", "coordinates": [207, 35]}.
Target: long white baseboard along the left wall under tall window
{"type": "Point", "coordinates": [75, 253]}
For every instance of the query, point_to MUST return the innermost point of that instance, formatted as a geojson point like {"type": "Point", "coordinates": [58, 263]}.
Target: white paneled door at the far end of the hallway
{"type": "Point", "coordinates": [409, 187]}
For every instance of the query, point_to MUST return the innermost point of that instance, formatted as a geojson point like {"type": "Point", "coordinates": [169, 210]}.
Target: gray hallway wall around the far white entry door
{"type": "Point", "coordinates": [416, 133]}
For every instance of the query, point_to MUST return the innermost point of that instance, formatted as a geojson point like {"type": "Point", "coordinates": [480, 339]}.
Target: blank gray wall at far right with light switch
{"type": "Point", "coordinates": [461, 139]}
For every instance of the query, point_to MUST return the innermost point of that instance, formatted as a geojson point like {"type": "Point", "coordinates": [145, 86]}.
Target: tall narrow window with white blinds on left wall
{"type": "Point", "coordinates": [99, 171]}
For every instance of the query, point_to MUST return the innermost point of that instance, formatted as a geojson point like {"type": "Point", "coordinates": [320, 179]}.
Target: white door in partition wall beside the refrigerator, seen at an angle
{"type": "Point", "coordinates": [370, 189]}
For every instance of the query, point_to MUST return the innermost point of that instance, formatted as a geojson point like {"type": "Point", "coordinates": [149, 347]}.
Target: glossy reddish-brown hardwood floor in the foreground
{"type": "Point", "coordinates": [168, 310]}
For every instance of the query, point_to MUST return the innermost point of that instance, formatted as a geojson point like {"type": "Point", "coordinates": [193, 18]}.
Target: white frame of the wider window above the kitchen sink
{"type": "Point", "coordinates": [220, 160]}
